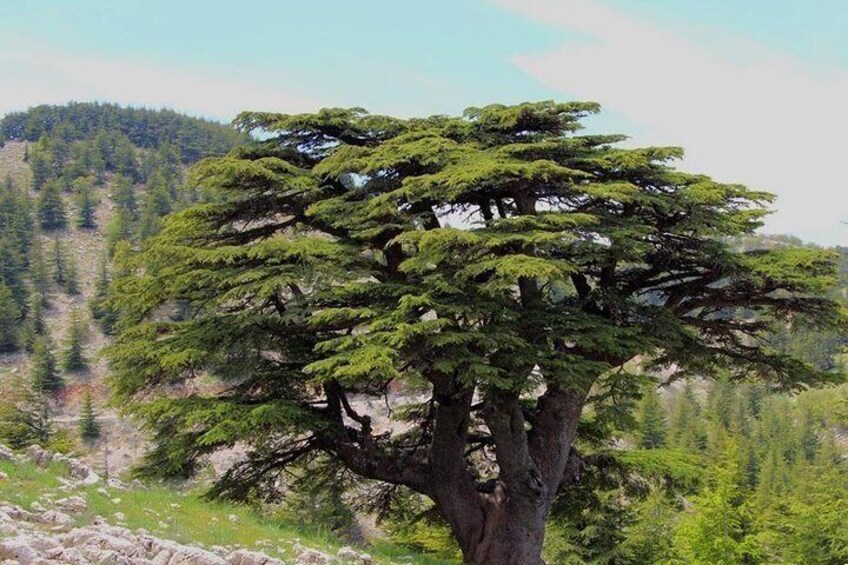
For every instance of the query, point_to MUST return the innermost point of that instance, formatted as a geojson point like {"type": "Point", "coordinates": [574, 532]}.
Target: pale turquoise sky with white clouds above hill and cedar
{"type": "Point", "coordinates": [755, 91]}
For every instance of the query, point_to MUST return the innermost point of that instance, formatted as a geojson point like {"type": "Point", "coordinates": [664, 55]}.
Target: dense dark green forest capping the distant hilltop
{"type": "Point", "coordinates": [148, 129]}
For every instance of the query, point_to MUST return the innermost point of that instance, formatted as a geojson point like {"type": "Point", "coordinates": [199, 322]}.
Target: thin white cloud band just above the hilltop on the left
{"type": "Point", "coordinates": [32, 74]}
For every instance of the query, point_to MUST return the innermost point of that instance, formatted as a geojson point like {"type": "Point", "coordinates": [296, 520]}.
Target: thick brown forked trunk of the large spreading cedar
{"type": "Point", "coordinates": [504, 523]}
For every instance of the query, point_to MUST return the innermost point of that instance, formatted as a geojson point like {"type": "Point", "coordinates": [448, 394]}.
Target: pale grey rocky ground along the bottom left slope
{"type": "Point", "coordinates": [50, 530]}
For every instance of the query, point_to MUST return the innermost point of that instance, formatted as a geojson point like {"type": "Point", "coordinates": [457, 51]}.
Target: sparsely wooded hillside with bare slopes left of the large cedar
{"type": "Point", "coordinates": [80, 183]}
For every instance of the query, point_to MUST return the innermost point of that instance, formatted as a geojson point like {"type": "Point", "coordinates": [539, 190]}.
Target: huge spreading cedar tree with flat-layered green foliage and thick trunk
{"type": "Point", "coordinates": [499, 263]}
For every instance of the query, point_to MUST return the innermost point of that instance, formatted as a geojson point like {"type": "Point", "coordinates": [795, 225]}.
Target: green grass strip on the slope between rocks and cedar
{"type": "Point", "coordinates": [186, 517]}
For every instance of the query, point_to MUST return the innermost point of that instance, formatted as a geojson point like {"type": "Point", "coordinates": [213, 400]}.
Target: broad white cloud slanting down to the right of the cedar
{"type": "Point", "coordinates": [743, 113]}
